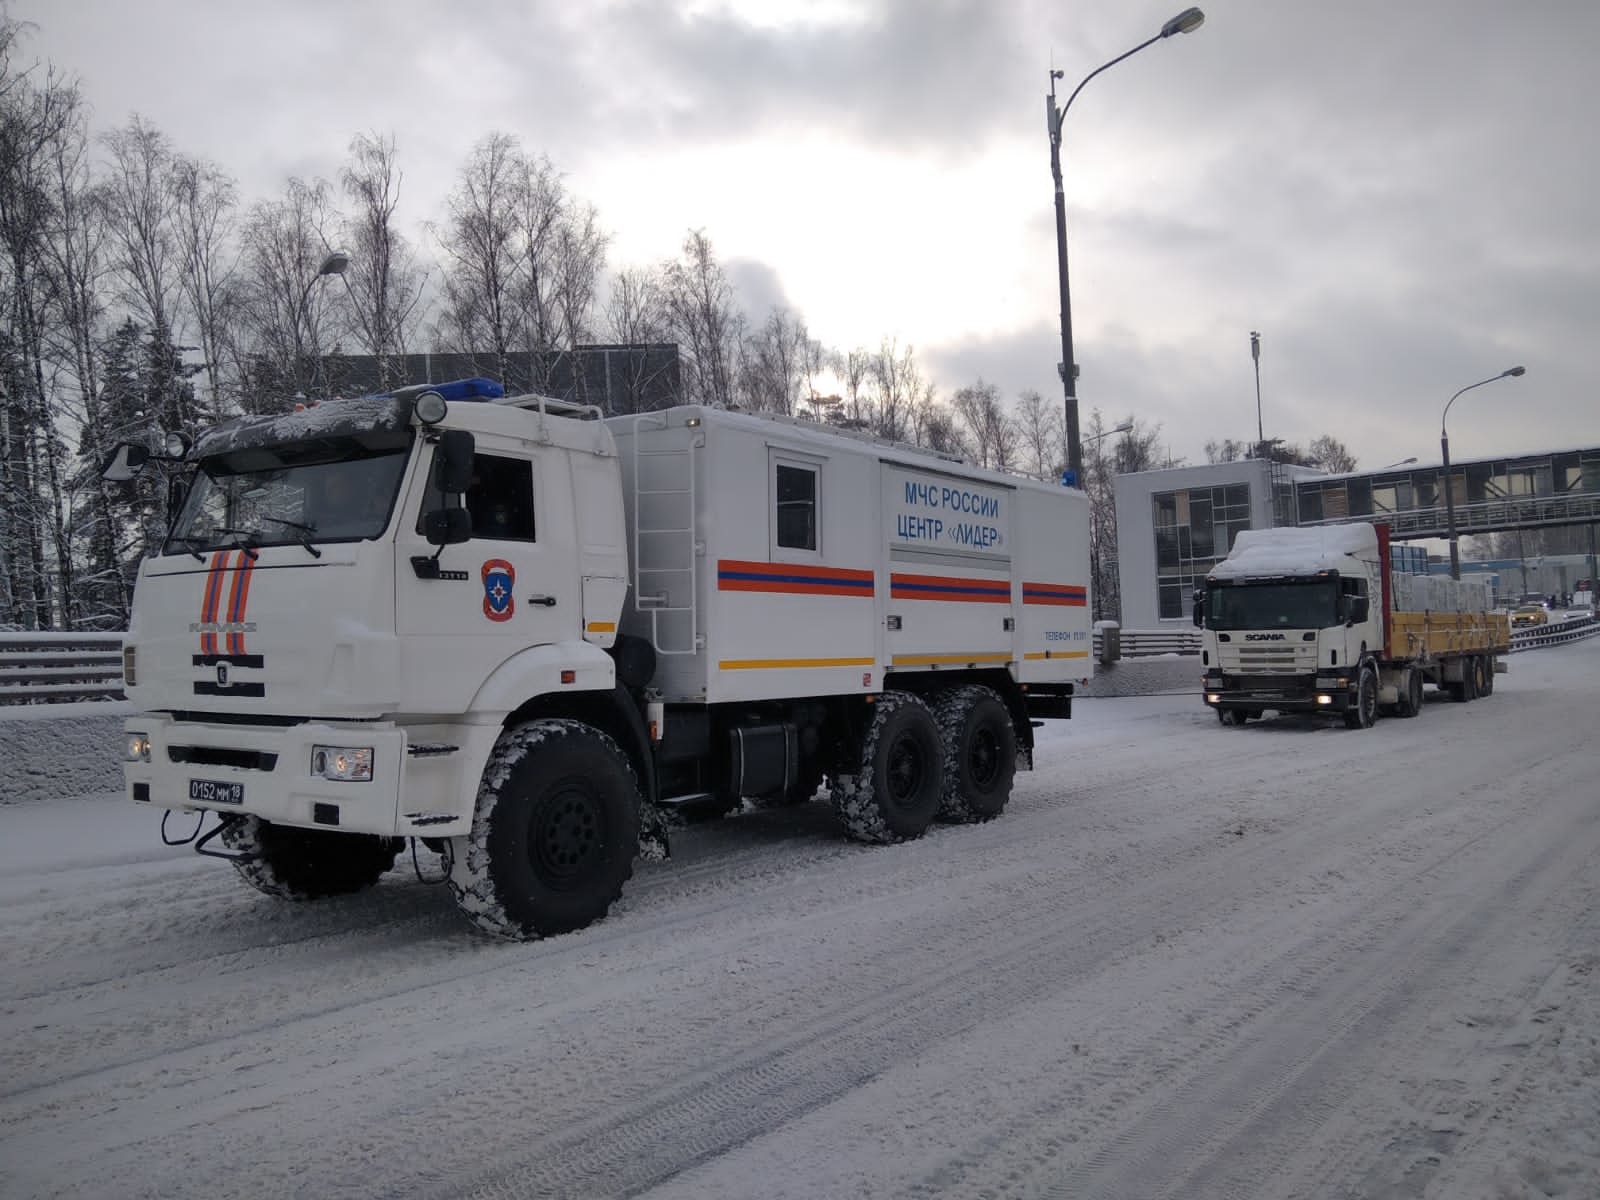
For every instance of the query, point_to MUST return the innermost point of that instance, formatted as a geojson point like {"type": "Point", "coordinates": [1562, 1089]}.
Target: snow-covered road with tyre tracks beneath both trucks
{"type": "Point", "coordinates": [1287, 961]}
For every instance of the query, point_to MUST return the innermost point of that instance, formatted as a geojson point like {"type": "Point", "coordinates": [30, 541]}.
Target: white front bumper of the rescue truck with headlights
{"type": "Point", "coordinates": [423, 783]}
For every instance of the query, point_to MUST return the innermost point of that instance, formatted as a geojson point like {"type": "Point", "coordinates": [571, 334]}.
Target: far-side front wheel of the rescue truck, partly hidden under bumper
{"type": "Point", "coordinates": [305, 865]}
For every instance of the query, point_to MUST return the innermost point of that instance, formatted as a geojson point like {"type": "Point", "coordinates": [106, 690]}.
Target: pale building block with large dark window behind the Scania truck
{"type": "Point", "coordinates": [1174, 526]}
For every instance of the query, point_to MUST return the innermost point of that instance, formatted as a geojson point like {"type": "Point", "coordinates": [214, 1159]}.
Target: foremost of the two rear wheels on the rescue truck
{"type": "Point", "coordinates": [895, 793]}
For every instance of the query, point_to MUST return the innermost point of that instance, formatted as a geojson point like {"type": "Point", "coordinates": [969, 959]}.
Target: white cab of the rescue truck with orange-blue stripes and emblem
{"type": "Point", "coordinates": [356, 596]}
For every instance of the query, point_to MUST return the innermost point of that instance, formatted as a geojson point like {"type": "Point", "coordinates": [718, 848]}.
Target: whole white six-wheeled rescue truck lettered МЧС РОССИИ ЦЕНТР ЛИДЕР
{"type": "Point", "coordinates": [514, 631]}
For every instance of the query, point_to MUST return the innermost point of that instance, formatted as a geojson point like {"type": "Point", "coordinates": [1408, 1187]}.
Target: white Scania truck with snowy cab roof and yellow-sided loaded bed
{"type": "Point", "coordinates": [1316, 620]}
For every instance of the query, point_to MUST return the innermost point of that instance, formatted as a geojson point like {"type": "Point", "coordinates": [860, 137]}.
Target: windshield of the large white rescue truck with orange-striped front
{"type": "Point", "coordinates": [319, 492]}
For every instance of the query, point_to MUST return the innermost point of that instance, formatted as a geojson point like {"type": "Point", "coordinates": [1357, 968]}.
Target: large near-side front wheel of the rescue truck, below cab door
{"type": "Point", "coordinates": [554, 834]}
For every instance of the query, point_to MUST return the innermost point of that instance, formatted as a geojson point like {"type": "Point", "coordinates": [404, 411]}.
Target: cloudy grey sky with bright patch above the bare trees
{"type": "Point", "coordinates": [1398, 194]}
